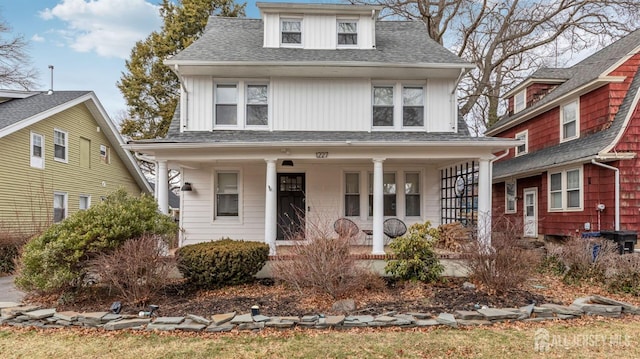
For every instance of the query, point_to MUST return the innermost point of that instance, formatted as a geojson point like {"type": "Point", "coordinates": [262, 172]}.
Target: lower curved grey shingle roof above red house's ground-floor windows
{"type": "Point", "coordinates": [582, 148]}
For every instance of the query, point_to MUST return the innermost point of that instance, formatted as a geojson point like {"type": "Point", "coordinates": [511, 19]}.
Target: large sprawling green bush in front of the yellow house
{"type": "Point", "coordinates": [55, 261]}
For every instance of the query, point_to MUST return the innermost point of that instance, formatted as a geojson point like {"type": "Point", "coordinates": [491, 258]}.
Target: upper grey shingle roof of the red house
{"type": "Point", "coordinates": [580, 74]}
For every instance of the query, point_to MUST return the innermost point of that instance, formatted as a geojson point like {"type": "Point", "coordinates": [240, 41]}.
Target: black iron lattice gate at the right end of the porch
{"type": "Point", "coordinates": [459, 194]}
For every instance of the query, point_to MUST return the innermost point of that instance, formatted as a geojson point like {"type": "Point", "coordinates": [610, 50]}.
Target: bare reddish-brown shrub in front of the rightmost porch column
{"type": "Point", "coordinates": [505, 264]}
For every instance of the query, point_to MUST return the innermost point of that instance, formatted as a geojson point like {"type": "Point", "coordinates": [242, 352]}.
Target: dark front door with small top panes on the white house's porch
{"type": "Point", "coordinates": [291, 206]}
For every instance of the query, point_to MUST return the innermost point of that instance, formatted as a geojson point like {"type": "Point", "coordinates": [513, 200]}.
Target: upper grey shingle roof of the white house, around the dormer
{"type": "Point", "coordinates": [240, 39]}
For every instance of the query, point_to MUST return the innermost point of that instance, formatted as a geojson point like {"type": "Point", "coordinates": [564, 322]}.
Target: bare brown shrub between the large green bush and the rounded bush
{"type": "Point", "coordinates": [137, 270]}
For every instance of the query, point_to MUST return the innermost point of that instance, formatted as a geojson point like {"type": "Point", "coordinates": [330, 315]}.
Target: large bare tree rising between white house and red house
{"type": "Point", "coordinates": [506, 40]}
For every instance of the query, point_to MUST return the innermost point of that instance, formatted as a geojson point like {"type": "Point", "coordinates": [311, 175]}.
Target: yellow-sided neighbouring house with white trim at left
{"type": "Point", "coordinates": [61, 153]}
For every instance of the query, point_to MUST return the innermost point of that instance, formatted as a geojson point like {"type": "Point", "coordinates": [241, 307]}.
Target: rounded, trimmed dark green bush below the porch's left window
{"type": "Point", "coordinates": [219, 263]}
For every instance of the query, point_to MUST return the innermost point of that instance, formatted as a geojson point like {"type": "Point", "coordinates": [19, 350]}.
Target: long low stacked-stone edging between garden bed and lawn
{"type": "Point", "coordinates": [16, 314]}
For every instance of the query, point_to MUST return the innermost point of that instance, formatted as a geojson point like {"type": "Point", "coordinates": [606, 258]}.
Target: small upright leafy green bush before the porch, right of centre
{"type": "Point", "coordinates": [415, 258]}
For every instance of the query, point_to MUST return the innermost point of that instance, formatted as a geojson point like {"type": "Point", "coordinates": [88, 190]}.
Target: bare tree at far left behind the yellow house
{"type": "Point", "coordinates": [14, 61]}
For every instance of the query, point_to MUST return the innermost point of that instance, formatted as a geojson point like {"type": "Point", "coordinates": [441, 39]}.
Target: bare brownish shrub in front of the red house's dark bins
{"type": "Point", "coordinates": [584, 260]}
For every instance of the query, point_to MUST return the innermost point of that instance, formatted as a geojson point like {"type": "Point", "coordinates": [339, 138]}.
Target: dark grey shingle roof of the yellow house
{"type": "Point", "coordinates": [16, 110]}
